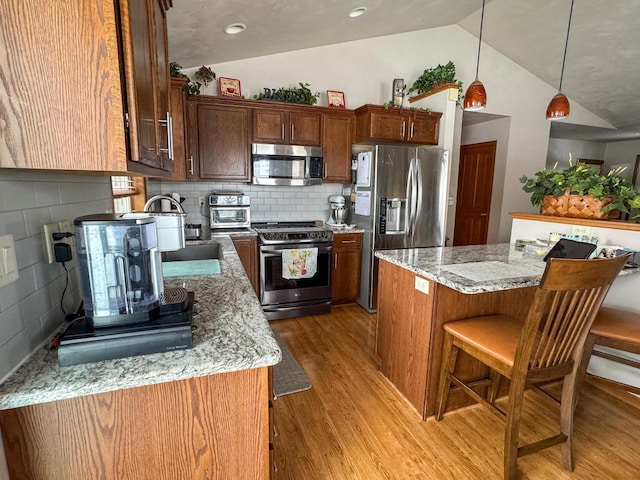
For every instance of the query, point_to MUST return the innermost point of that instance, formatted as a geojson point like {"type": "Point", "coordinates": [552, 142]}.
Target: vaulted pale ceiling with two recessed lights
{"type": "Point", "coordinates": [602, 70]}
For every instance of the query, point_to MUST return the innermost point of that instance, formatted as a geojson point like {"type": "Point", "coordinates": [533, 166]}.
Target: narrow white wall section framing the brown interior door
{"type": "Point", "coordinates": [497, 130]}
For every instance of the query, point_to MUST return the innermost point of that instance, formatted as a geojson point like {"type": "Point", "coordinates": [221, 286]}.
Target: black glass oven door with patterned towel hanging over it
{"type": "Point", "coordinates": [275, 289]}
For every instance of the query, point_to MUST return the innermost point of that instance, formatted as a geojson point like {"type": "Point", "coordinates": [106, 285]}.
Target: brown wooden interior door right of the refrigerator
{"type": "Point", "coordinates": [475, 182]}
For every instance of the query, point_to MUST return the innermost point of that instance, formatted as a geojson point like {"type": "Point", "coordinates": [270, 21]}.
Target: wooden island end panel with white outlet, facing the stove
{"type": "Point", "coordinates": [403, 331]}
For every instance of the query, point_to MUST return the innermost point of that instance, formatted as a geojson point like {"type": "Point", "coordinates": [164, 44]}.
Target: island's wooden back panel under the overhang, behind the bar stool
{"type": "Point", "coordinates": [453, 305]}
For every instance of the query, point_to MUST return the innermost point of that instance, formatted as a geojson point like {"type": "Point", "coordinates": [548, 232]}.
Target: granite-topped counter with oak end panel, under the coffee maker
{"type": "Point", "coordinates": [197, 413]}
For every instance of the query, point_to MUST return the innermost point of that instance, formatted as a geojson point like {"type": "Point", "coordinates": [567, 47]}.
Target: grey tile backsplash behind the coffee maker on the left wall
{"type": "Point", "coordinates": [30, 308]}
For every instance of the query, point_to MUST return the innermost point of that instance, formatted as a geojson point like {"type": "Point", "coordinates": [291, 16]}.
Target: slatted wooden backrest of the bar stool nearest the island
{"type": "Point", "coordinates": [565, 304]}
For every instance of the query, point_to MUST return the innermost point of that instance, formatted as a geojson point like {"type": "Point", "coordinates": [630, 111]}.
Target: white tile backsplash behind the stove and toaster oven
{"type": "Point", "coordinates": [267, 202]}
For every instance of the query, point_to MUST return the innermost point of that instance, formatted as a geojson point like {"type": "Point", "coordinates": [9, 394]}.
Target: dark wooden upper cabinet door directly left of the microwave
{"type": "Point", "coordinates": [223, 142]}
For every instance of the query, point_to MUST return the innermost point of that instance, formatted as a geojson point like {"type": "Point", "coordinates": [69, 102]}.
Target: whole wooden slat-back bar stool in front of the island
{"type": "Point", "coordinates": [546, 345]}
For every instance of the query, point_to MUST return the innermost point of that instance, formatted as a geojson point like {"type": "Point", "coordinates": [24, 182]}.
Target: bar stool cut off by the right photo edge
{"type": "Point", "coordinates": [614, 328]}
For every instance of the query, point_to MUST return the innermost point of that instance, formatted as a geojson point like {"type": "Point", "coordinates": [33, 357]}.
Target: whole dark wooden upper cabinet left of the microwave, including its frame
{"type": "Point", "coordinates": [218, 137]}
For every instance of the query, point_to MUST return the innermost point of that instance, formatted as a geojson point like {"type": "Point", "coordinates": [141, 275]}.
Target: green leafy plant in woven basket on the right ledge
{"type": "Point", "coordinates": [581, 191]}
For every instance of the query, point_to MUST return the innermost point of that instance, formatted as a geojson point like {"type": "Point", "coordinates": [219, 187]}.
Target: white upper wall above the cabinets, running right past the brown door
{"type": "Point", "coordinates": [364, 70]}
